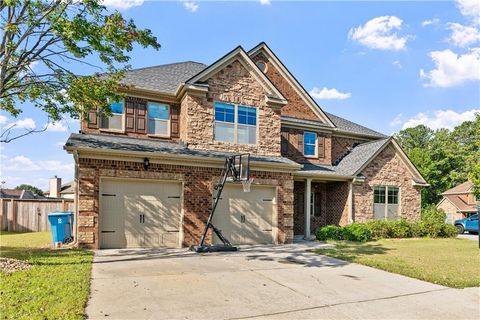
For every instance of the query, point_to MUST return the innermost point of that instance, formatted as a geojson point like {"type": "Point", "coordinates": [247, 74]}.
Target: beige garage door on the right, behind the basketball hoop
{"type": "Point", "coordinates": [246, 218]}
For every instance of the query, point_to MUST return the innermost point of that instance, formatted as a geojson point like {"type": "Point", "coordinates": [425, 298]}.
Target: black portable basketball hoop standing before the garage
{"type": "Point", "coordinates": [229, 170]}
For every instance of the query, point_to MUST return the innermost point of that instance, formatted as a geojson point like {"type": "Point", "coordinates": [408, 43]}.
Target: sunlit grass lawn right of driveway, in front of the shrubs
{"type": "Point", "coordinates": [450, 262]}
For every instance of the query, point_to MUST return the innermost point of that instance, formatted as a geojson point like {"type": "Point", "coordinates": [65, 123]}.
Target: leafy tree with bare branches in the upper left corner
{"type": "Point", "coordinates": [40, 38]}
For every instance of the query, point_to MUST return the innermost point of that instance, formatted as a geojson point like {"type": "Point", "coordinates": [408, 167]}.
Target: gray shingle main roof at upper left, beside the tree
{"type": "Point", "coordinates": [163, 78]}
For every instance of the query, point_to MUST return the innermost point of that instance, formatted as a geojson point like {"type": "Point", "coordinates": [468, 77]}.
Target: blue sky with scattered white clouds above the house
{"type": "Point", "coordinates": [386, 65]}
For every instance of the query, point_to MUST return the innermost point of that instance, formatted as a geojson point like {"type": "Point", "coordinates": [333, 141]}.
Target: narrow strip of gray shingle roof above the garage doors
{"type": "Point", "coordinates": [111, 142]}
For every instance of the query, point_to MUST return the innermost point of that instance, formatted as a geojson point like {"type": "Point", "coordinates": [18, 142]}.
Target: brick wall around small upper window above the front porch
{"type": "Point", "coordinates": [295, 153]}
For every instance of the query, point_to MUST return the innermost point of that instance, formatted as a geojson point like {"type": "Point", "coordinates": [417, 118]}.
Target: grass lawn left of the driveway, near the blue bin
{"type": "Point", "coordinates": [57, 286]}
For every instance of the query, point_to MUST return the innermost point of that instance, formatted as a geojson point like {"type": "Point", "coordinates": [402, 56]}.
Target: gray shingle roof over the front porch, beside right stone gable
{"type": "Point", "coordinates": [352, 162]}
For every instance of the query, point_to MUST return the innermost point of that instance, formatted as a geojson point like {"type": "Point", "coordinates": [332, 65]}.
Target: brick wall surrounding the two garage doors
{"type": "Point", "coordinates": [198, 186]}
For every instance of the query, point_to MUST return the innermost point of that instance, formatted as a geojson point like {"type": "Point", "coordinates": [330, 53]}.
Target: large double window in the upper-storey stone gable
{"type": "Point", "coordinates": [235, 123]}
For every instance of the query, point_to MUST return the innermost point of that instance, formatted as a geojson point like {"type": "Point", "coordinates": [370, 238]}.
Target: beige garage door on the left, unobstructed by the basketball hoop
{"type": "Point", "coordinates": [137, 213]}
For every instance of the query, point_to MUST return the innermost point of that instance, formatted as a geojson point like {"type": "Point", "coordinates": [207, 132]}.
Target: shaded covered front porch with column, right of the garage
{"type": "Point", "coordinates": [319, 202]}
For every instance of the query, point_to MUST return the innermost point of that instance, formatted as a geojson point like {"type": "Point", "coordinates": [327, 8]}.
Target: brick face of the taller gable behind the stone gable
{"type": "Point", "coordinates": [296, 106]}
